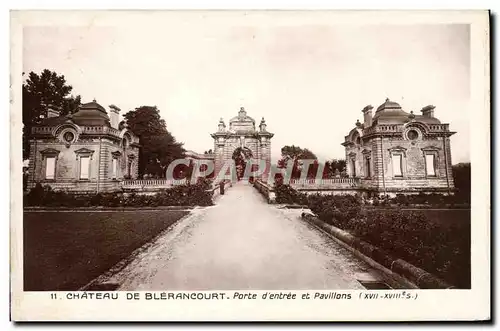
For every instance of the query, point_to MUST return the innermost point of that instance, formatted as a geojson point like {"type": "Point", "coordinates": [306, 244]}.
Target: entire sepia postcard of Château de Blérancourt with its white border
{"type": "Point", "coordinates": [252, 165]}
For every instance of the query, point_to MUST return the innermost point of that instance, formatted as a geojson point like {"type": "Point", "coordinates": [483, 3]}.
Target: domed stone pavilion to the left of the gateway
{"type": "Point", "coordinates": [87, 151]}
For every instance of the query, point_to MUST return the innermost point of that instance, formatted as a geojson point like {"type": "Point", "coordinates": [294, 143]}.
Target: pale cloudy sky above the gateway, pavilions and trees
{"type": "Point", "coordinates": [308, 79]}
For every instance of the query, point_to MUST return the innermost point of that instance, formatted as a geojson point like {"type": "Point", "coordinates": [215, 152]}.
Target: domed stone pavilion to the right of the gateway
{"type": "Point", "coordinates": [394, 151]}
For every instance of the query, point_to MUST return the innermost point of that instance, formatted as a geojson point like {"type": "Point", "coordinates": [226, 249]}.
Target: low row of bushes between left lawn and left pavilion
{"type": "Point", "coordinates": [182, 195]}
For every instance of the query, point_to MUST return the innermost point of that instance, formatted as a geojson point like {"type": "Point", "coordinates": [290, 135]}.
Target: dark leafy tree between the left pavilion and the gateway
{"type": "Point", "coordinates": [158, 146]}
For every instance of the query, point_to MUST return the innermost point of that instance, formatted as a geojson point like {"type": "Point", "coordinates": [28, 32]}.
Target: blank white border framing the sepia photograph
{"type": "Point", "coordinates": [431, 305]}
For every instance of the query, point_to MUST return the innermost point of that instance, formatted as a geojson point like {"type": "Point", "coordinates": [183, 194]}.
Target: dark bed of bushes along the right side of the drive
{"type": "Point", "coordinates": [441, 249]}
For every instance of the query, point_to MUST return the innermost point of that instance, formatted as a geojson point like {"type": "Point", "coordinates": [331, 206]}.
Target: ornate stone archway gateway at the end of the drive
{"type": "Point", "coordinates": [242, 136]}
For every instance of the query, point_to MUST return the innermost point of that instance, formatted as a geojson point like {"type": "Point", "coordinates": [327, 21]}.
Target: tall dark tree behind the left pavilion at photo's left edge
{"type": "Point", "coordinates": [40, 92]}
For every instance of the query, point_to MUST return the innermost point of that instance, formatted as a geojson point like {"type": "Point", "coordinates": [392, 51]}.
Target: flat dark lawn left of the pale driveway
{"type": "Point", "coordinates": [66, 250]}
